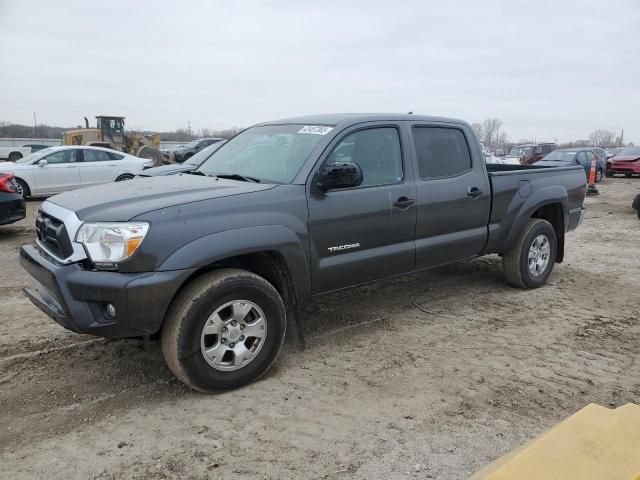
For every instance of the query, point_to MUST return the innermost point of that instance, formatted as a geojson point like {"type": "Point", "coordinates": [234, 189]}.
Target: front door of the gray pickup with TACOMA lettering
{"type": "Point", "coordinates": [367, 232]}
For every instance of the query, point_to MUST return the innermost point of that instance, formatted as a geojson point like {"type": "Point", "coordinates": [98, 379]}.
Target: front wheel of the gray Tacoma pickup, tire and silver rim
{"type": "Point", "coordinates": [224, 330]}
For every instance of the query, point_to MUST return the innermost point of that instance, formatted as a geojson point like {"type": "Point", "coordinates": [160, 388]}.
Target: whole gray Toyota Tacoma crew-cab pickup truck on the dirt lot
{"type": "Point", "coordinates": [217, 261]}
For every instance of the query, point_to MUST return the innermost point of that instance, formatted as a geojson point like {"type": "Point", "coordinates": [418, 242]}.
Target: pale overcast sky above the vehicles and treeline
{"type": "Point", "coordinates": [548, 70]}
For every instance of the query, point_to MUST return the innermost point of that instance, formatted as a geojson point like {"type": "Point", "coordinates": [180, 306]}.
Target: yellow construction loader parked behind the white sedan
{"type": "Point", "coordinates": [110, 134]}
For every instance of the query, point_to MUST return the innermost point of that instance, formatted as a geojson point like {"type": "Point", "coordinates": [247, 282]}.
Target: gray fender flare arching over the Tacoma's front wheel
{"type": "Point", "coordinates": [205, 251]}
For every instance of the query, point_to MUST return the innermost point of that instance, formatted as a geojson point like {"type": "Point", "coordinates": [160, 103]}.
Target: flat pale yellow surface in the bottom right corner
{"type": "Point", "coordinates": [595, 443]}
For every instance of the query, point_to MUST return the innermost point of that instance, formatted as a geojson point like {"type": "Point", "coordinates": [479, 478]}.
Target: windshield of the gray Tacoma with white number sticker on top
{"type": "Point", "coordinates": [270, 153]}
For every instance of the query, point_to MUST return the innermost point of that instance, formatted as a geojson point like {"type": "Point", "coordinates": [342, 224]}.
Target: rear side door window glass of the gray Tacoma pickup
{"type": "Point", "coordinates": [442, 152]}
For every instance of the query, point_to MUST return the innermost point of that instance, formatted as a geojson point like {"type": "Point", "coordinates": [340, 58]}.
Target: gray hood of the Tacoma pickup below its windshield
{"type": "Point", "coordinates": [121, 201]}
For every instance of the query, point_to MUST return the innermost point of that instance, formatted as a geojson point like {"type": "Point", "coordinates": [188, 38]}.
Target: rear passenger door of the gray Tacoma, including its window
{"type": "Point", "coordinates": [453, 194]}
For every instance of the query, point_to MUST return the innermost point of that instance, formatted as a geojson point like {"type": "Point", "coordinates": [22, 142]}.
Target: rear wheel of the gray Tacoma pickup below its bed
{"type": "Point", "coordinates": [529, 262]}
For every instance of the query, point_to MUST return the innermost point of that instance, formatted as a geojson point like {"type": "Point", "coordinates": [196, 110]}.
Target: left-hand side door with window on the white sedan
{"type": "Point", "coordinates": [60, 173]}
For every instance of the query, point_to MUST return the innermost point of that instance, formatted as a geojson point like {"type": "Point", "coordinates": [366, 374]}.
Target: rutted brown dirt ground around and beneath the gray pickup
{"type": "Point", "coordinates": [428, 376]}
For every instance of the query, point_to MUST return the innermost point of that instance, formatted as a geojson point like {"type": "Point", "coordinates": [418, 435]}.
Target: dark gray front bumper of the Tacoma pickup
{"type": "Point", "coordinates": [76, 298]}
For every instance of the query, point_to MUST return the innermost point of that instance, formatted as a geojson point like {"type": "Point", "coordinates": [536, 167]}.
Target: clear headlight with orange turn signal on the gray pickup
{"type": "Point", "coordinates": [110, 243]}
